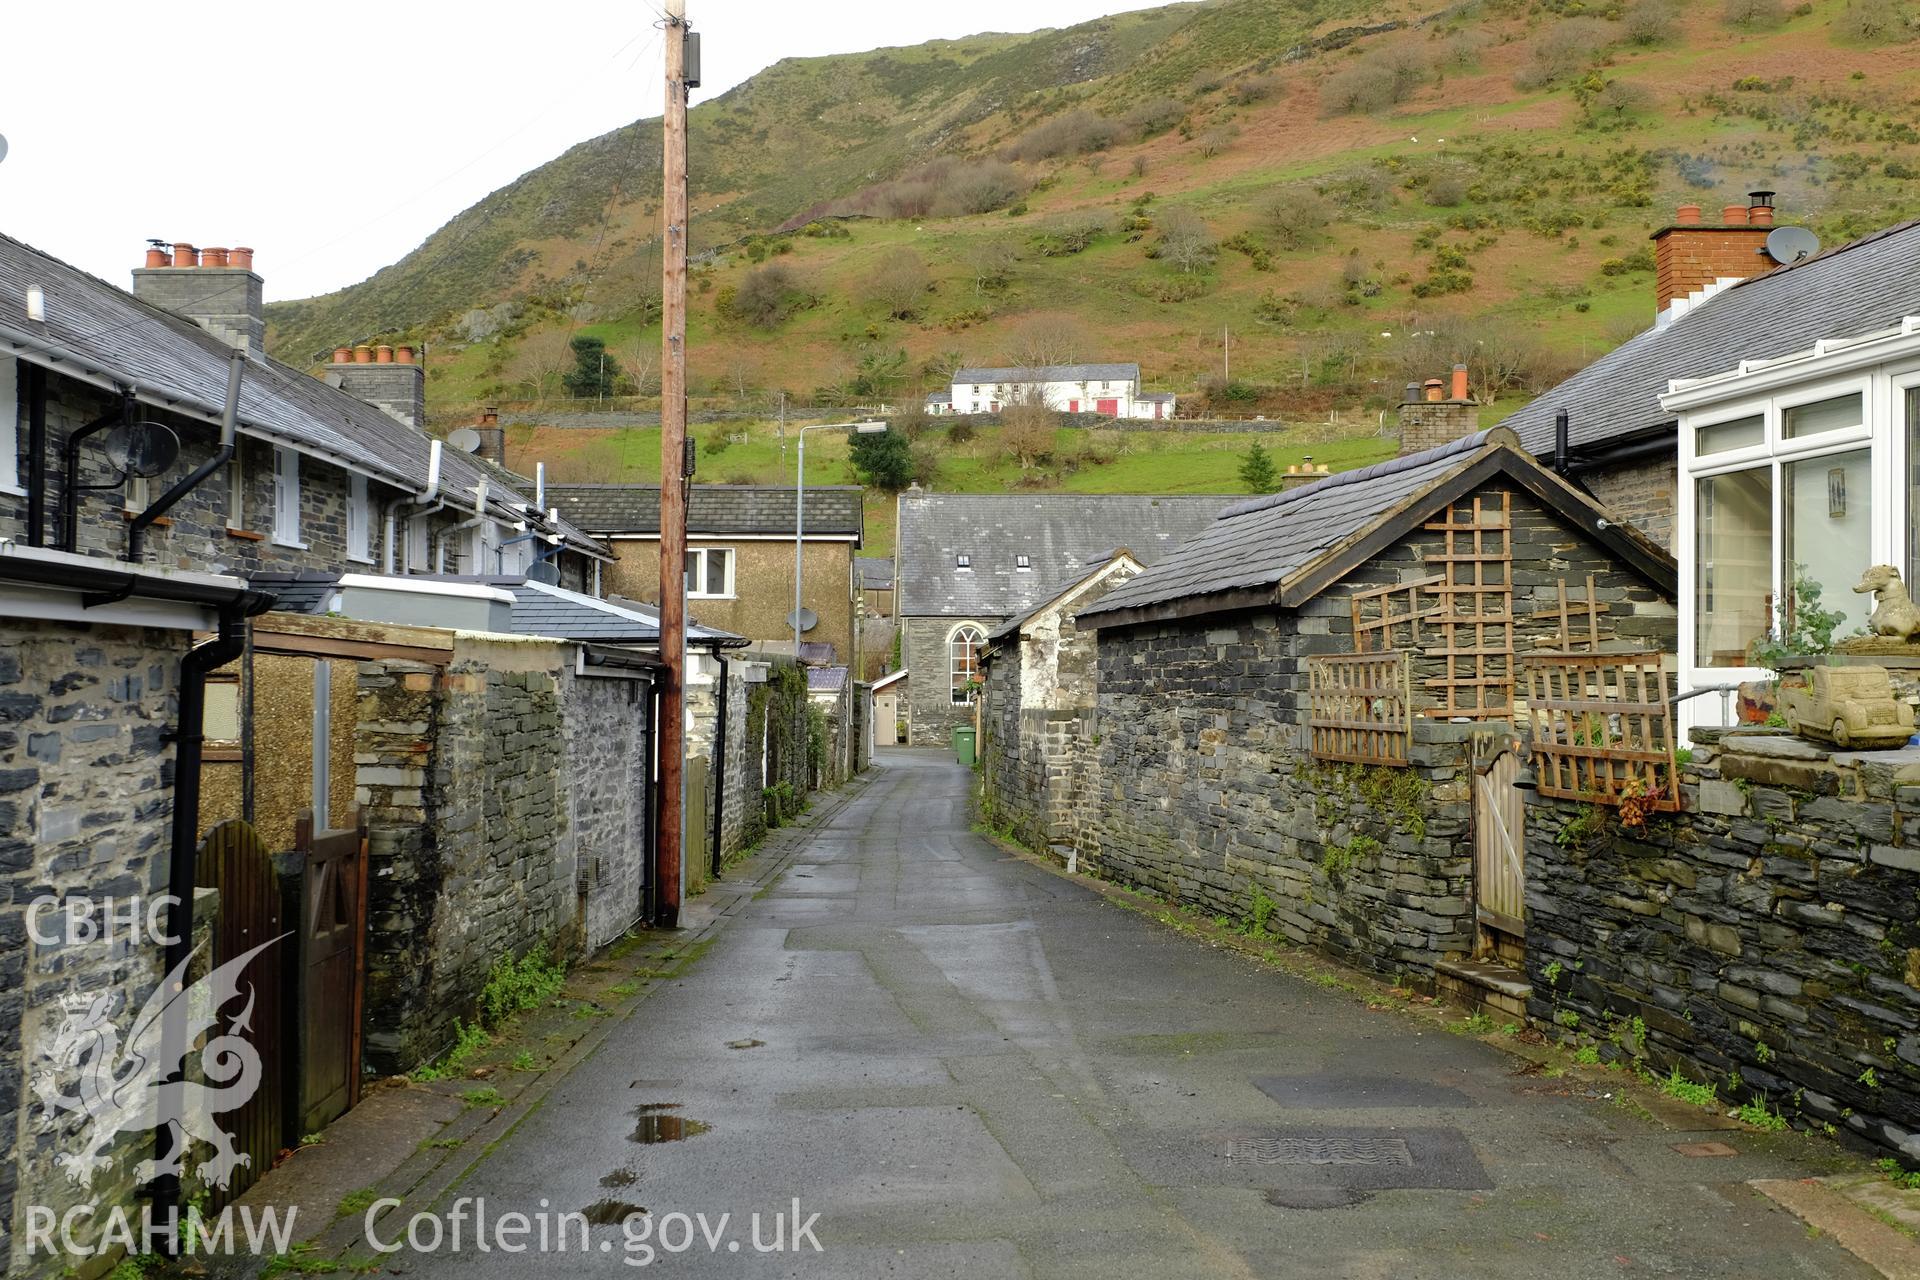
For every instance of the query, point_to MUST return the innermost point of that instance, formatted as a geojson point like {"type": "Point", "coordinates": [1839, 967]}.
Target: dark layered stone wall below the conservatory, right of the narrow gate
{"type": "Point", "coordinates": [1767, 937]}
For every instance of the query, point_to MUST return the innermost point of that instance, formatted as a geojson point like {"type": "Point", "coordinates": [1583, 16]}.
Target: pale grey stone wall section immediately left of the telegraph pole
{"type": "Point", "coordinates": [608, 799]}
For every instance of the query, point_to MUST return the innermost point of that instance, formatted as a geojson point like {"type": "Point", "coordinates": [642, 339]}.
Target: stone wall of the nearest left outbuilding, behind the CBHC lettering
{"type": "Point", "coordinates": [85, 811]}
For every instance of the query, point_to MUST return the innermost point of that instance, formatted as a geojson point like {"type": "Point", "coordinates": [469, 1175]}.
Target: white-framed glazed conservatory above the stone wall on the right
{"type": "Point", "coordinates": [1798, 475]}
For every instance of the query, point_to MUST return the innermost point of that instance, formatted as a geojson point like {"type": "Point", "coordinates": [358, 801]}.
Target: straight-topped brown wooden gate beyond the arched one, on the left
{"type": "Point", "coordinates": [333, 945]}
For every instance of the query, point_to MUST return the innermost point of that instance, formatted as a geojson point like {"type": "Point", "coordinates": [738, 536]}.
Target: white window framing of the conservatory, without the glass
{"type": "Point", "coordinates": [1881, 433]}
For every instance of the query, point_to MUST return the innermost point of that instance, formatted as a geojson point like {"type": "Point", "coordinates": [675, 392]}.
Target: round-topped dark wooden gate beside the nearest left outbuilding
{"type": "Point", "coordinates": [251, 913]}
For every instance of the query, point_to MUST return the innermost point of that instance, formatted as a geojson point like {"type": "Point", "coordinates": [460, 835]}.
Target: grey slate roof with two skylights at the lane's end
{"type": "Point", "coordinates": [1065, 534]}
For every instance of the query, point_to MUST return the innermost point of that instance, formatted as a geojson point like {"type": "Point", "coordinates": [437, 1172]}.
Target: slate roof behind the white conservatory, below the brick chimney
{"type": "Point", "coordinates": [1854, 289]}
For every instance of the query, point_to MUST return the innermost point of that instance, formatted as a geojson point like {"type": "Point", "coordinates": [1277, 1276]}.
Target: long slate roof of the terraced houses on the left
{"type": "Point", "coordinates": [108, 337]}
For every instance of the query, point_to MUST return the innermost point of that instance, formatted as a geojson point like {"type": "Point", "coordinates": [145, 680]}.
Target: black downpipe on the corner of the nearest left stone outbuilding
{"type": "Point", "coordinates": [189, 742]}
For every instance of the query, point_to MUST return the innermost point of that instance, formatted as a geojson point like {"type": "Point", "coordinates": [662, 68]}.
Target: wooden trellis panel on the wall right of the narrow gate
{"type": "Point", "coordinates": [1602, 728]}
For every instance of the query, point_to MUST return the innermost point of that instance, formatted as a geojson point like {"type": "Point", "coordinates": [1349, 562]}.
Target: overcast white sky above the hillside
{"type": "Point", "coordinates": [335, 139]}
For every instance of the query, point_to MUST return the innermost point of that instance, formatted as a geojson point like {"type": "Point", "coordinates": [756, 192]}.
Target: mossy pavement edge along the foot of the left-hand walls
{"type": "Point", "coordinates": [431, 1173]}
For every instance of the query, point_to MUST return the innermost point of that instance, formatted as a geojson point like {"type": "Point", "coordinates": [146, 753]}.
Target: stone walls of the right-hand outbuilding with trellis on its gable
{"type": "Point", "coordinates": [1201, 784]}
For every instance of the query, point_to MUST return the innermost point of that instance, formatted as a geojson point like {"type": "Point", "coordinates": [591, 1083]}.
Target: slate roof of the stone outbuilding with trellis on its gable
{"type": "Point", "coordinates": [1262, 548]}
